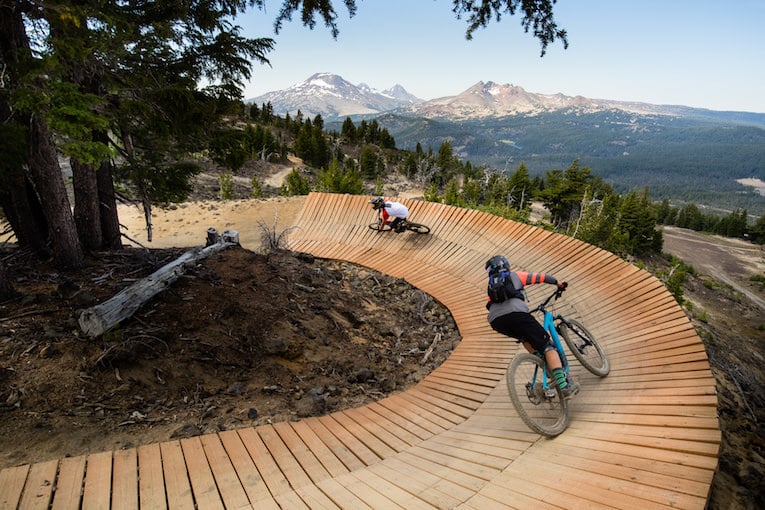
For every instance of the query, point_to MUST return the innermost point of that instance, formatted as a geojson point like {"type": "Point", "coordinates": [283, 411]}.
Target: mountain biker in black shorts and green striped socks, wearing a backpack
{"type": "Point", "coordinates": [512, 318]}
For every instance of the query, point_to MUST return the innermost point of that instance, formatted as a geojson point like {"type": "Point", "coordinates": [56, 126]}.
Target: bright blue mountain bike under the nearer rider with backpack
{"type": "Point", "coordinates": [536, 397]}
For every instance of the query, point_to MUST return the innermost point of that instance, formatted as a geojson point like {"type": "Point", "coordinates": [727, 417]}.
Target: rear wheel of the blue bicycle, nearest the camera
{"type": "Point", "coordinates": [543, 409]}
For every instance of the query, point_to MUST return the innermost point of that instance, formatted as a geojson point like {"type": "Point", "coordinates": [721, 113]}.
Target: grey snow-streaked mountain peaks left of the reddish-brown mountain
{"type": "Point", "coordinates": [333, 97]}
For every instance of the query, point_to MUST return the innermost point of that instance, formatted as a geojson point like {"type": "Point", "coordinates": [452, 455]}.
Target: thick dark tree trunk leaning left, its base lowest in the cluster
{"type": "Point", "coordinates": [49, 183]}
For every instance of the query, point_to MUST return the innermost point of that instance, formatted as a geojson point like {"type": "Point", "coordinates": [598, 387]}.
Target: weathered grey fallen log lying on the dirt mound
{"type": "Point", "coordinates": [99, 319]}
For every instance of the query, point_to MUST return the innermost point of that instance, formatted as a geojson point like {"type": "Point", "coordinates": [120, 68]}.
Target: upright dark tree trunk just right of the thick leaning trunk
{"type": "Point", "coordinates": [87, 214]}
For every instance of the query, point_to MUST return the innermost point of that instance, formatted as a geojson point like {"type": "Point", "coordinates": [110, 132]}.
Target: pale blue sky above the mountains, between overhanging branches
{"type": "Point", "coordinates": [700, 53]}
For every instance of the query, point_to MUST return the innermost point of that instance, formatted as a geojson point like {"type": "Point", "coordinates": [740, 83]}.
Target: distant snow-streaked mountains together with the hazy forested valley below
{"type": "Point", "coordinates": [680, 153]}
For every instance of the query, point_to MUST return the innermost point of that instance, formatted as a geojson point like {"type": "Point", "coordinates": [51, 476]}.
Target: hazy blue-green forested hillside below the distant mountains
{"type": "Point", "coordinates": [683, 159]}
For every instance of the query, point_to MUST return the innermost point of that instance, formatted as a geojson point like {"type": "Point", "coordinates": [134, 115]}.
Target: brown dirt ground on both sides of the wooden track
{"type": "Point", "coordinates": [291, 337]}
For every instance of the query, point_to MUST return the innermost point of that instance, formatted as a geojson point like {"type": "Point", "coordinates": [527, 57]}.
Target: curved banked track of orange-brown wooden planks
{"type": "Point", "coordinates": [646, 436]}
